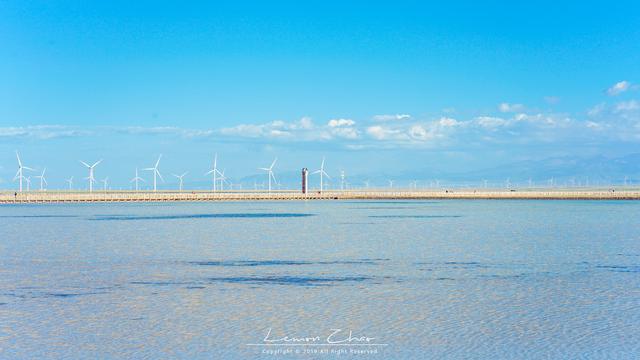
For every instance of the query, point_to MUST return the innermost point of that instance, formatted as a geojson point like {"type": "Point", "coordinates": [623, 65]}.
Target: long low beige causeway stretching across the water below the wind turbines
{"type": "Point", "coordinates": [195, 196]}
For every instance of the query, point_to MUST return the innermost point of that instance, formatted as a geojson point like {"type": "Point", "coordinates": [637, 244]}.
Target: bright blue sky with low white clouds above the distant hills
{"type": "Point", "coordinates": [374, 87]}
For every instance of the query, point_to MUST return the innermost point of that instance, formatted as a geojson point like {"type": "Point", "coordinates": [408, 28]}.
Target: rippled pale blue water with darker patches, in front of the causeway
{"type": "Point", "coordinates": [430, 279]}
